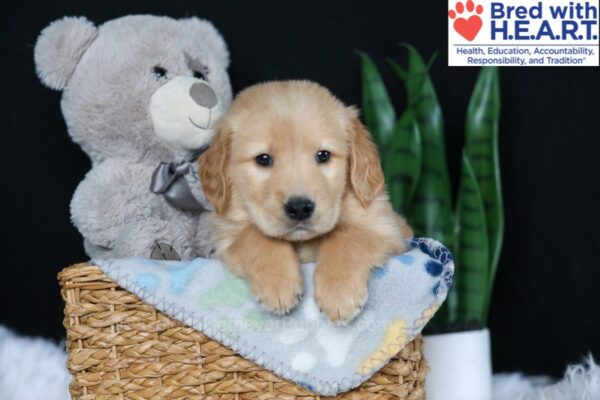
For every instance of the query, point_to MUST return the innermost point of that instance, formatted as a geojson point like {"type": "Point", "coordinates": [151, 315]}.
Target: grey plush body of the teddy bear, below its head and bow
{"type": "Point", "coordinates": [118, 216]}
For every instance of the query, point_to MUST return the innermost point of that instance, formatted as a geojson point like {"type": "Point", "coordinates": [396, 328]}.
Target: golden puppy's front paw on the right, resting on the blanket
{"type": "Point", "coordinates": [340, 297]}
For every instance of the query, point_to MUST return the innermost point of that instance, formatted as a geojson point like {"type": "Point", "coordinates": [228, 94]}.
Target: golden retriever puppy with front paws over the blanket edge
{"type": "Point", "coordinates": [295, 177]}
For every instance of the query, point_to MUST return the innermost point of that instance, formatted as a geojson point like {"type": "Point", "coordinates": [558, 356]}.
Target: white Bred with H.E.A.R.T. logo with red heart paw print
{"type": "Point", "coordinates": [523, 33]}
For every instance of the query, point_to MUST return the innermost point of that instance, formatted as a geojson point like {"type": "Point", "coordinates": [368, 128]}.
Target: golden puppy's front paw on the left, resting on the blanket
{"type": "Point", "coordinates": [279, 291]}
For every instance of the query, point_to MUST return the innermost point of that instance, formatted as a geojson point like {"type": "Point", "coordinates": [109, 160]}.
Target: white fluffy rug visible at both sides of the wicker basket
{"type": "Point", "coordinates": [34, 368]}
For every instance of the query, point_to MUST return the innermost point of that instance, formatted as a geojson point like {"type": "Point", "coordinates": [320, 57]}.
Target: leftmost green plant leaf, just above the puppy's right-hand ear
{"type": "Point", "coordinates": [378, 111]}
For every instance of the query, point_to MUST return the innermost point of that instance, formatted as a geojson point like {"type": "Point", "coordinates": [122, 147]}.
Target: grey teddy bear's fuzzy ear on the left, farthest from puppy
{"type": "Point", "coordinates": [59, 48]}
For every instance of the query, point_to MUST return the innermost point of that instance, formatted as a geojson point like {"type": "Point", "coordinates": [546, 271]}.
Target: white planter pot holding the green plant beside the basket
{"type": "Point", "coordinates": [460, 366]}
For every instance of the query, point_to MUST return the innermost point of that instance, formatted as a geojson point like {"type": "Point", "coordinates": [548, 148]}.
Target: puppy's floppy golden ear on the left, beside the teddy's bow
{"type": "Point", "coordinates": [213, 164]}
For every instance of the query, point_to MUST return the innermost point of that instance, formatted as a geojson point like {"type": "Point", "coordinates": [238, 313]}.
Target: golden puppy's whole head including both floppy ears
{"type": "Point", "coordinates": [284, 153]}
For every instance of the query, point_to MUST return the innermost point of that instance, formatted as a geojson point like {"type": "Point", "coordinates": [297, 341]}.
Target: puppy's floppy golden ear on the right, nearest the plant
{"type": "Point", "coordinates": [366, 175]}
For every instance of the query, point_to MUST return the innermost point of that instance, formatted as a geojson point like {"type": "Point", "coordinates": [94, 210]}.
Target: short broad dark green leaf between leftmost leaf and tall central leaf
{"type": "Point", "coordinates": [402, 166]}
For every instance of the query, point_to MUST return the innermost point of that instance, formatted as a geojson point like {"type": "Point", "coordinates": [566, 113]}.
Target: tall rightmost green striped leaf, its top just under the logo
{"type": "Point", "coordinates": [481, 145]}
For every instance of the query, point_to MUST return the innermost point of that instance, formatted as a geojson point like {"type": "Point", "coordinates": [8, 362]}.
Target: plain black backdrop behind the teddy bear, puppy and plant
{"type": "Point", "coordinates": [546, 306]}
